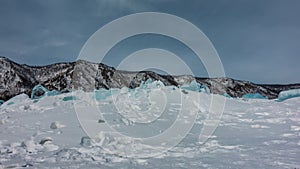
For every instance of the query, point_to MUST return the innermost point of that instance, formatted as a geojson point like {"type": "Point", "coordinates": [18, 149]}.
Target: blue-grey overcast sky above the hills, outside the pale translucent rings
{"type": "Point", "coordinates": [256, 40]}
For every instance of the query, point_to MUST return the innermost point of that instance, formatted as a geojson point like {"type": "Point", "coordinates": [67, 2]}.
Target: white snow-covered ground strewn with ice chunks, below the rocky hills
{"type": "Point", "coordinates": [46, 133]}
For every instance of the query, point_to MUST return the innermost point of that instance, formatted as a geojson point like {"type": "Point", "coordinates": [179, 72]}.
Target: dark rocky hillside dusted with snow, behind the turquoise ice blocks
{"type": "Point", "coordinates": [17, 78]}
